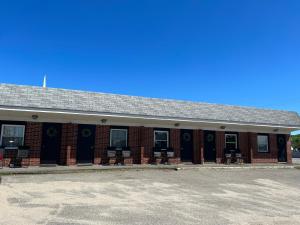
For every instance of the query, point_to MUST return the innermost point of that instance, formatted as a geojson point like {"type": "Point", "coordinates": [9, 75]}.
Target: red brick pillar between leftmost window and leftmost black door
{"type": "Point", "coordinates": [33, 139]}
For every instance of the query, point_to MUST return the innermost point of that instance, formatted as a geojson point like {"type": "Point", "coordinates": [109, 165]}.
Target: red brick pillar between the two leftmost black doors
{"type": "Point", "coordinates": [68, 144]}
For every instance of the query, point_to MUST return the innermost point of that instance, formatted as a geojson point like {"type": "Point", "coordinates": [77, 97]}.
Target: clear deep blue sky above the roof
{"type": "Point", "coordinates": [231, 51]}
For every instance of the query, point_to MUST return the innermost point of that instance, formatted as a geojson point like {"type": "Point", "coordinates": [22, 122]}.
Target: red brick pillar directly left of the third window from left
{"type": "Point", "coordinates": [147, 141]}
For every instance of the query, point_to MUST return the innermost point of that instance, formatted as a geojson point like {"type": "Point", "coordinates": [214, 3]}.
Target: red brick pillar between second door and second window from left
{"type": "Point", "coordinates": [101, 144]}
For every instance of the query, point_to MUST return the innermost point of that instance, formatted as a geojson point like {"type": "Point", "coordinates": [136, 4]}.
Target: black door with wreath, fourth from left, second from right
{"type": "Point", "coordinates": [209, 146]}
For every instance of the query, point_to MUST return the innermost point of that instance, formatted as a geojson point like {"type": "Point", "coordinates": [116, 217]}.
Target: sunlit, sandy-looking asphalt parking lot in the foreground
{"type": "Point", "coordinates": [200, 196]}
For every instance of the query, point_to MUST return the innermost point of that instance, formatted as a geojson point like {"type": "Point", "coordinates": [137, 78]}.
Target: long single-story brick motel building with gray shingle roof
{"type": "Point", "coordinates": [69, 127]}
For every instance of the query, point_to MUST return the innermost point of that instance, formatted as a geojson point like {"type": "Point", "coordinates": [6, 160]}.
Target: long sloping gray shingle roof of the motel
{"type": "Point", "coordinates": [70, 100]}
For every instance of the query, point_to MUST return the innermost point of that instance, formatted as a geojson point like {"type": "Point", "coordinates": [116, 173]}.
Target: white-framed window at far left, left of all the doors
{"type": "Point", "coordinates": [12, 136]}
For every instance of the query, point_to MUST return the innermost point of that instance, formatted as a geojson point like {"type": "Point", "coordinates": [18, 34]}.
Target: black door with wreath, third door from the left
{"type": "Point", "coordinates": [186, 141]}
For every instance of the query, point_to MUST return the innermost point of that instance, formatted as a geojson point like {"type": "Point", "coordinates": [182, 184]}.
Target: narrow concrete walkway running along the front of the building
{"type": "Point", "coordinates": [99, 168]}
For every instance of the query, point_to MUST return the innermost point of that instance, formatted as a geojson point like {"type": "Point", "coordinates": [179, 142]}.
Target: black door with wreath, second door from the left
{"type": "Point", "coordinates": [85, 143]}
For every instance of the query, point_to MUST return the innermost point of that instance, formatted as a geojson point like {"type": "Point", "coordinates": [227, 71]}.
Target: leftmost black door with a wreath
{"type": "Point", "coordinates": [51, 143]}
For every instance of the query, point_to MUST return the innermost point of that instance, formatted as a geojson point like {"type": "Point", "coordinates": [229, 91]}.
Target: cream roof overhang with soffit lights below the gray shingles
{"type": "Point", "coordinates": [66, 116]}
